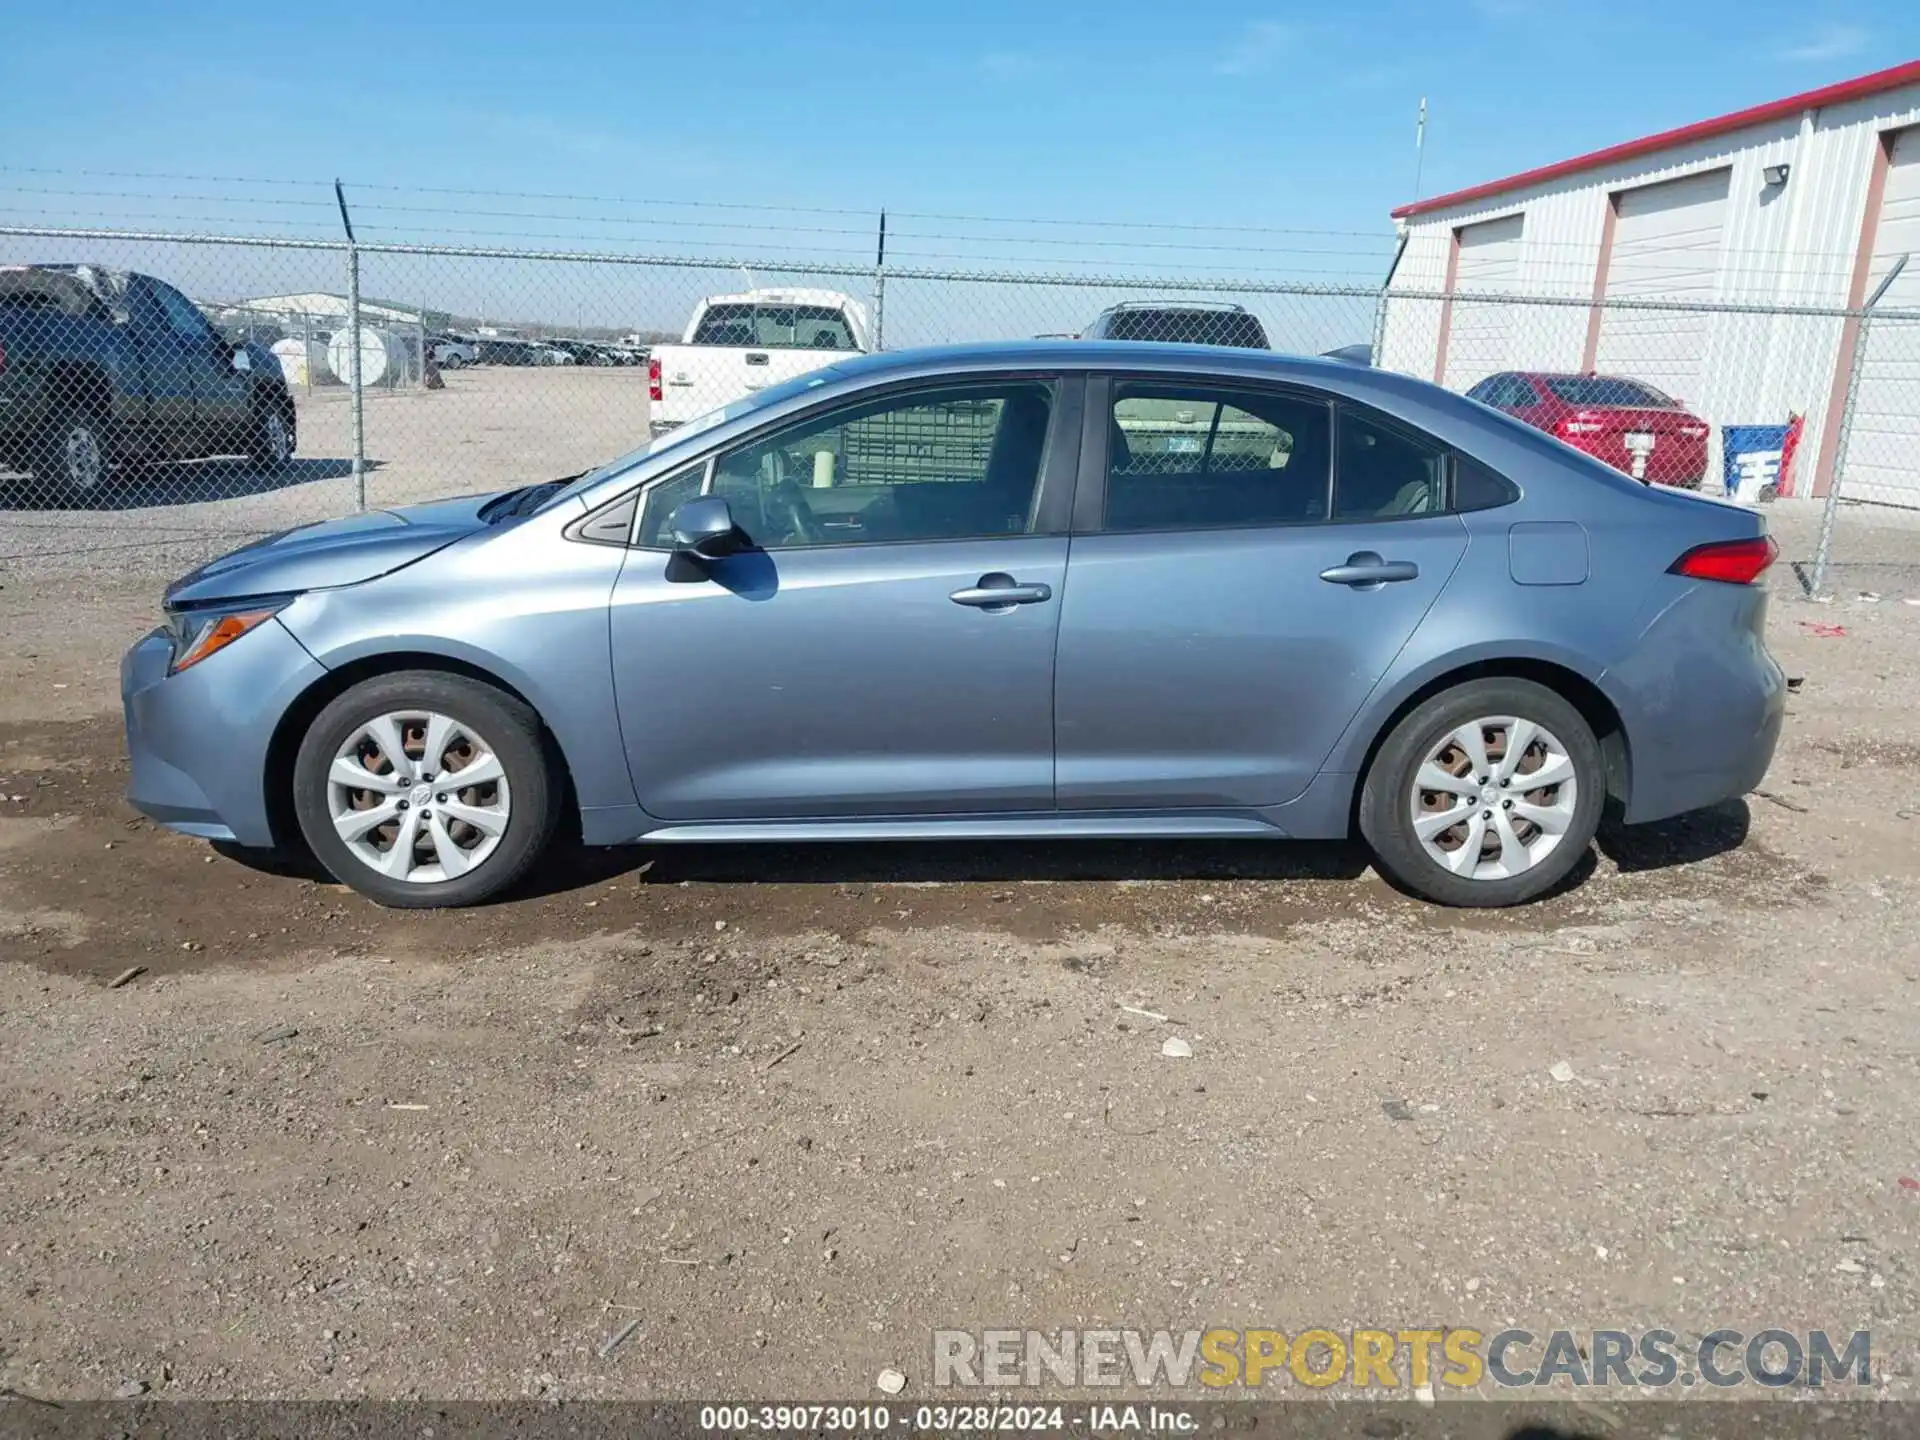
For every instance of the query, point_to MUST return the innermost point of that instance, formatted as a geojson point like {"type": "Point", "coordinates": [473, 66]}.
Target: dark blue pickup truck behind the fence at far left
{"type": "Point", "coordinates": [101, 368]}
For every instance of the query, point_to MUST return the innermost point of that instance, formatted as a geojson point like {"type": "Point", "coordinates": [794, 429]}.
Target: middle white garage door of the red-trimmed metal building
{"type": "Point", "coordinates": [1666, 247]}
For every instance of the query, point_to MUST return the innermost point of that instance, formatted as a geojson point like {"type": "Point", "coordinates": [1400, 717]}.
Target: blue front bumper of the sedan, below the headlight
{"type": "Point", "coordinates": [199, 740]}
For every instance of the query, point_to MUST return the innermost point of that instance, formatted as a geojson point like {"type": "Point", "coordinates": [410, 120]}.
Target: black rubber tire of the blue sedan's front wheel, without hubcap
{"type": "Point", "coordinates": [508, 727]}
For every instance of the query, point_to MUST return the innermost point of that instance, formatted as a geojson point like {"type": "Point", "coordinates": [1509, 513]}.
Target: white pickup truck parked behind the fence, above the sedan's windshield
{"type": "Point", "coordinates": [738, 345]}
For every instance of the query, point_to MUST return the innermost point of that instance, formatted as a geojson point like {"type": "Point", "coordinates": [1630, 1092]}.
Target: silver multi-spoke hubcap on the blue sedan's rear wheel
{"type": "Point", "coordinates": [1495, 798]}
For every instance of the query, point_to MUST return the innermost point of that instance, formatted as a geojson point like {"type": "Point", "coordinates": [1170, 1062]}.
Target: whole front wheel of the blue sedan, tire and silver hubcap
{"type": "Point", "coordinates": [425, 790]}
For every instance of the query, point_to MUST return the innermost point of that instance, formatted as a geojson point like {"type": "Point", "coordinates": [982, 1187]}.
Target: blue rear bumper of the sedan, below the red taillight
{"type": "Point", "coordinates": [1702, 700]}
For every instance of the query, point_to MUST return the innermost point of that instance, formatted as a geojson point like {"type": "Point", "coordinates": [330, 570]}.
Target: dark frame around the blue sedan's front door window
{"type": "Point", "coordinates": [1055, 489]}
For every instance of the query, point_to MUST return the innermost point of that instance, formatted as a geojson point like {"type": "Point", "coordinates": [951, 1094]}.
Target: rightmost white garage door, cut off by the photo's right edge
{"type": "Point", "coordinates": [1884, 446]}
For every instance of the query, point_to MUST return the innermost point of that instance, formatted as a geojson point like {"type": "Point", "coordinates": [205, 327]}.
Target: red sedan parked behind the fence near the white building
{"type": "Point", "coordinates": [1625, 423]}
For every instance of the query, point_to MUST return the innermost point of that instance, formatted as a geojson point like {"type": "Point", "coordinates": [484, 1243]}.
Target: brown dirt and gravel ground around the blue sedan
{"type": "Point", "coordinates": [794, 1109]}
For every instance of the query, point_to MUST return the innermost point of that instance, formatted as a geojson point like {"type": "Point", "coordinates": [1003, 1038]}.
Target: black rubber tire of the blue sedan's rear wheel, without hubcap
{"type": "Point", "coordinates": [1387, 796]}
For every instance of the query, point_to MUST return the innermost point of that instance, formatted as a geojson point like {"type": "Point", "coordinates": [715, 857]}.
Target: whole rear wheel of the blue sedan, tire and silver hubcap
{"type": "Point", "coordinates": [1485, 796]}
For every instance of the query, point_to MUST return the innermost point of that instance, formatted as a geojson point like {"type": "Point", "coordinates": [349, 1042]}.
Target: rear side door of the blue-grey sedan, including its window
{"type": "Point", "coordinates": [1247, 565]}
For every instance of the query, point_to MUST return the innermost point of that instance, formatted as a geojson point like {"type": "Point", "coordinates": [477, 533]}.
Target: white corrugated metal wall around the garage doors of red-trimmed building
{"type": "Point", "coordinates": [1790, 245]}
